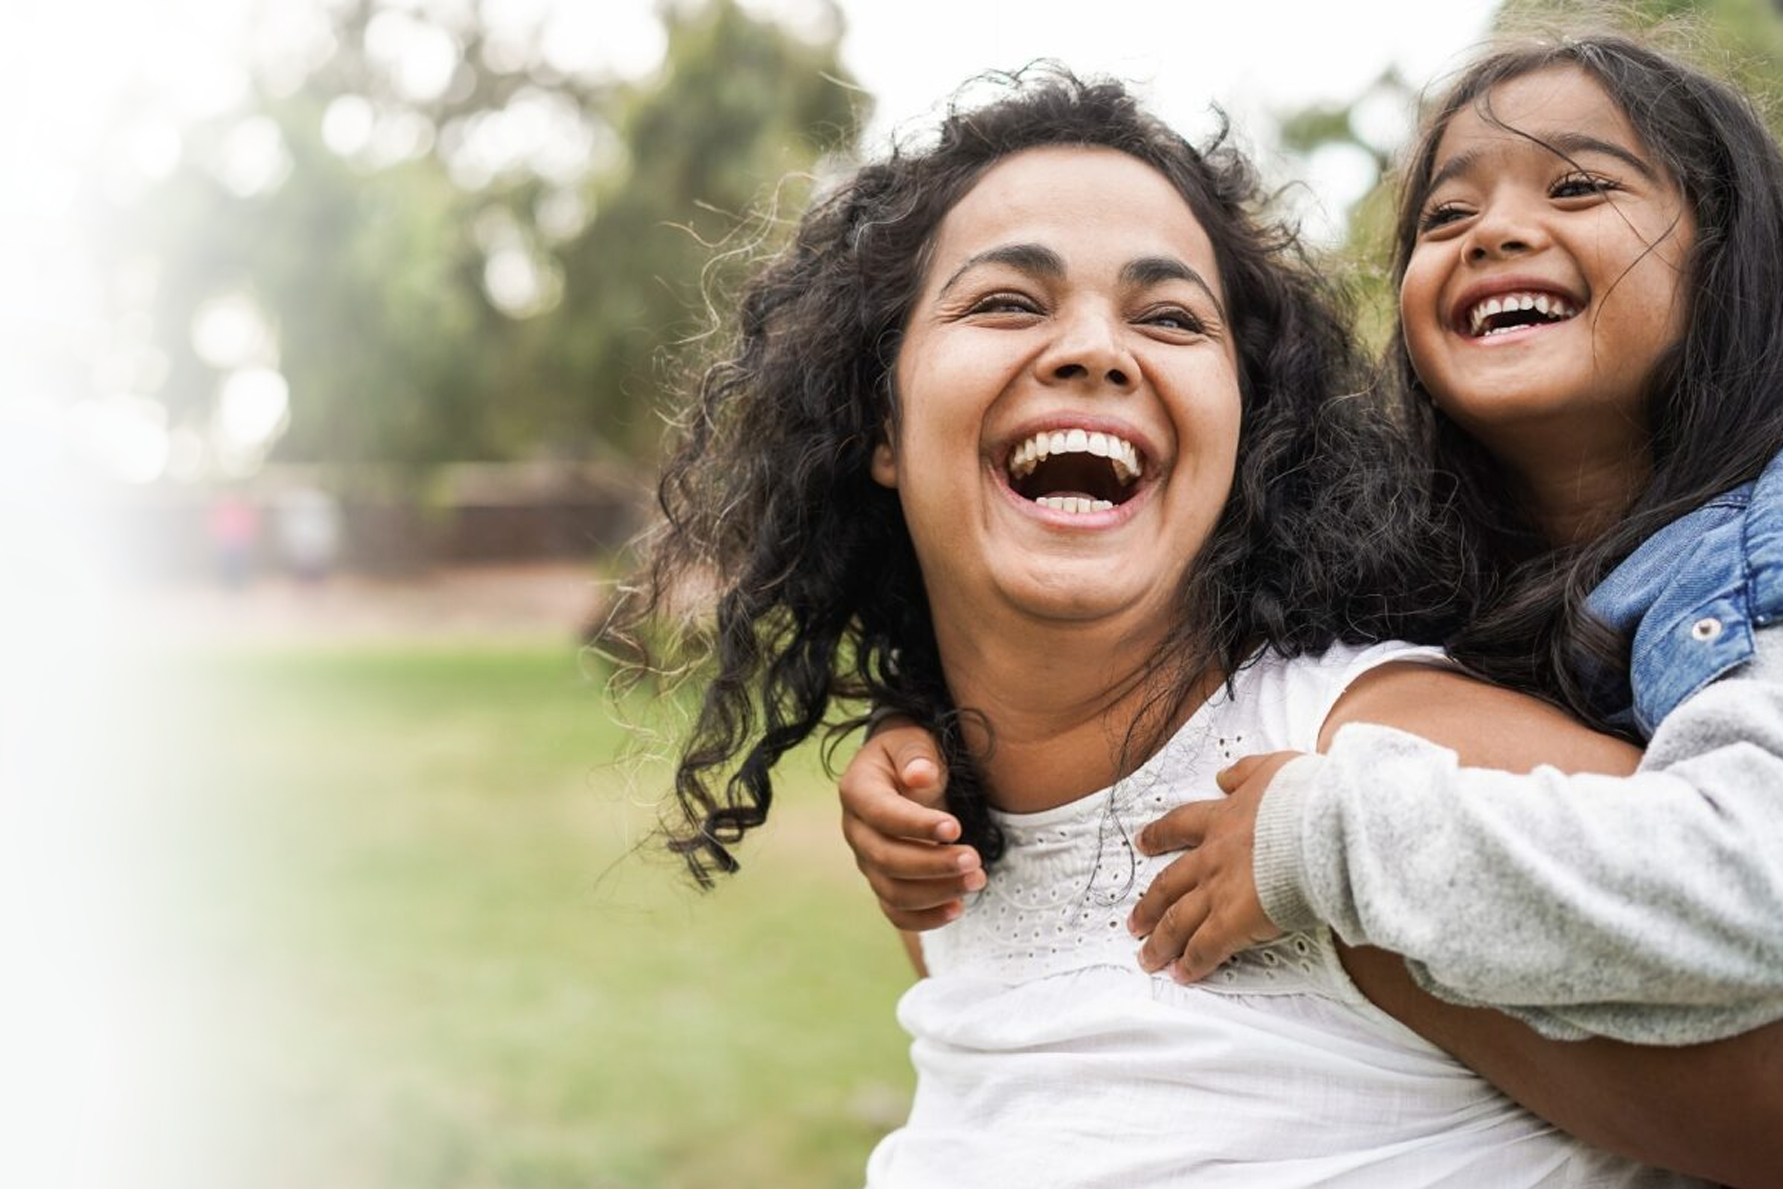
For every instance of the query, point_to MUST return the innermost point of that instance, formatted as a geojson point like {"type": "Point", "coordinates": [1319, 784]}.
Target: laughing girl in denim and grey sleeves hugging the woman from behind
{"type": "Point", "coordinates": [1590, 254]}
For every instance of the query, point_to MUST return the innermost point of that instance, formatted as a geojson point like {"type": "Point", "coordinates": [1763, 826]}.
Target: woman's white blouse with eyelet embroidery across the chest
{"type": "Point", "coordinates": [1048, 1058]}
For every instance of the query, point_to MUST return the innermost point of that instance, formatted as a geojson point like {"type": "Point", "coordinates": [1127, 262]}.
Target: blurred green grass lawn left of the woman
{"type": "Point", "coordinates": [443, 962]}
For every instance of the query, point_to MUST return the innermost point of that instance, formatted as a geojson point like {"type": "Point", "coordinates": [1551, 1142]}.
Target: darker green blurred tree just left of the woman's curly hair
{"type": "Point", "coordinates": [739, 108]}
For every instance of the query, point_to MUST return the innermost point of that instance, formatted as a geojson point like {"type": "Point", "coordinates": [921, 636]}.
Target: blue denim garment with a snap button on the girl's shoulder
{"type": "Point", "coordinates": [1691, 598]}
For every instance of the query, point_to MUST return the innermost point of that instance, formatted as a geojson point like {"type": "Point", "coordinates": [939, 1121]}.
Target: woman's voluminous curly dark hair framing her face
{"type": "Point", "coordinates": [819, 598]}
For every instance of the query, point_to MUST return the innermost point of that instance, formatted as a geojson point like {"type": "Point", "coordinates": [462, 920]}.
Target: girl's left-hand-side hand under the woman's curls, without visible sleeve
{"type": "Point", "coordinates": [892, 798]}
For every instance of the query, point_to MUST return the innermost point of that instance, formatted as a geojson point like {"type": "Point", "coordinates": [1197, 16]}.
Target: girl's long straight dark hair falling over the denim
{"type": "Point", "coordinates": [1714, 402]}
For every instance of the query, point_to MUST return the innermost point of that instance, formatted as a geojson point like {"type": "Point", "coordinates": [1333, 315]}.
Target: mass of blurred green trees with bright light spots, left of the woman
{"type": "Point", "coordinates": [431, 307]}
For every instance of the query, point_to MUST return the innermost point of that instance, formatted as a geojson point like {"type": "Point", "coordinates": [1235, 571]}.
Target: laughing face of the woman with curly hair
{"type": "Point", "coordinates": [1069, 400]}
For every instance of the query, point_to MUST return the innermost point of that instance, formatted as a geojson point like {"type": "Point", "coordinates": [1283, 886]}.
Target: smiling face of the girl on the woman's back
{"type": "Point", "coordinates": [1549, 272]}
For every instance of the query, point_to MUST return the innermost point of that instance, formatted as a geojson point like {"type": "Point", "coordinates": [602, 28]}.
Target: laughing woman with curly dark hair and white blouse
{"type": "Point", "coordinates": [978, 457]}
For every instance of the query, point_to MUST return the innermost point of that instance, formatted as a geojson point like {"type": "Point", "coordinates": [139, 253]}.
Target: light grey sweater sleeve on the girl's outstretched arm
{"type": "Point", "coordinates": [1643, 908]}
